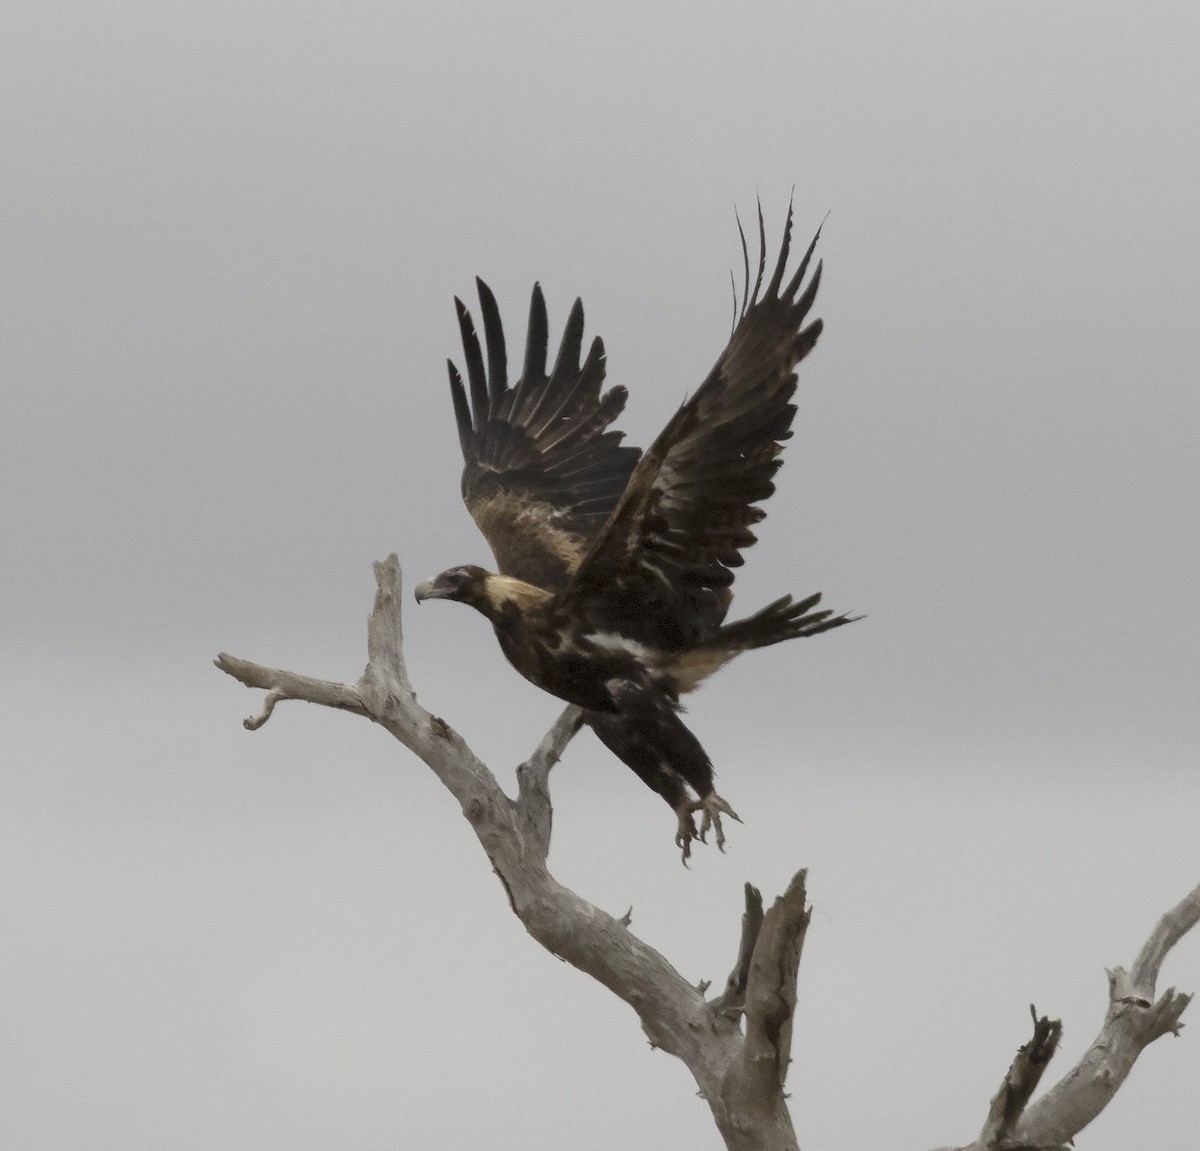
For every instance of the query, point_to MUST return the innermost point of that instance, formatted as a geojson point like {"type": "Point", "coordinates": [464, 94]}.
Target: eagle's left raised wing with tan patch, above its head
{"type": "Point", "coordinates": [543, 471]}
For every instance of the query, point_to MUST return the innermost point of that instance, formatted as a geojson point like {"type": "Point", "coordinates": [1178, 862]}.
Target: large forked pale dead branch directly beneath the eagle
{"type": "Point", "coordinates": [515, 834]}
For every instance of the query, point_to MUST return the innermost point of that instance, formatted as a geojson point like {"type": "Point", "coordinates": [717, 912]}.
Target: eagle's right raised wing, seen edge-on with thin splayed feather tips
{"type": "Point", "coordinates": [661, 572]}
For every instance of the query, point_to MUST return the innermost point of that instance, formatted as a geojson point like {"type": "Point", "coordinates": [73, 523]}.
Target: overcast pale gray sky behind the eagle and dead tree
{"type": "Point", "coordinates": [231, 238]}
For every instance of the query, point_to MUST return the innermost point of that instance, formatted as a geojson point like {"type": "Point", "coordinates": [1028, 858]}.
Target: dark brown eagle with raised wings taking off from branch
{"type": "Point", "coordinates": [616, 565]}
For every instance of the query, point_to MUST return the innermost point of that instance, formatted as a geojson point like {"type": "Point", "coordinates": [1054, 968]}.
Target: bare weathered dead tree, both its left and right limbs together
{"type": "Point", "coordinates": [737, 1045]}
